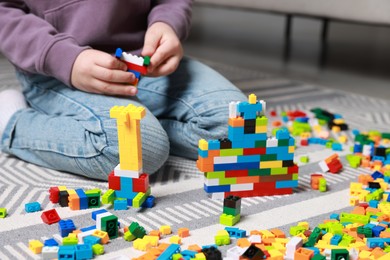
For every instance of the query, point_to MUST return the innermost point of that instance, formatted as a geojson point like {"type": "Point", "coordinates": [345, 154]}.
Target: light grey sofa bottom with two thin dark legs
{"type": "Point", "coordinates": [375, 12]}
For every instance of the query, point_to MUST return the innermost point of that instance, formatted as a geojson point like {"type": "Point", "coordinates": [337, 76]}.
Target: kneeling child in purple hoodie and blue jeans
{"type": "Point", "coordinates": [62, 51]}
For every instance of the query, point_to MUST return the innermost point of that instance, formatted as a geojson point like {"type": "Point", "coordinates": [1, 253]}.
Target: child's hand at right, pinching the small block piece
{"type": "Point", "coordinates": [164, 48]}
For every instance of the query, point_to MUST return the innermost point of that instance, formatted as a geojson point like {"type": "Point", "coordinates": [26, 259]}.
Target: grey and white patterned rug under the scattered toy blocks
{"type": "Point", "coordinates": [181, 201]}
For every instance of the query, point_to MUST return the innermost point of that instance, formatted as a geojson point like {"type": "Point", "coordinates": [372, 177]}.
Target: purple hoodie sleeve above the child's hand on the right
{"type": "Point", "coordinates": [176, 13]}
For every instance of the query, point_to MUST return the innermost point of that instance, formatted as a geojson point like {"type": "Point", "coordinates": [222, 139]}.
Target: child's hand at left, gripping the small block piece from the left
{"type": "Point", "coordinates": [98, 72]}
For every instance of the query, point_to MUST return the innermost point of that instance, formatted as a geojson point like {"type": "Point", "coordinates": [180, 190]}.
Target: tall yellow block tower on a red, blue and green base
{"type": "Point", "coordinates": [127, 180]}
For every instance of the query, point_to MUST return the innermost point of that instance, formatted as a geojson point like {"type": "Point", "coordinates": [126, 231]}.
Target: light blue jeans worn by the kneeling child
{"type": "Point", "coordinates": [69, 130]}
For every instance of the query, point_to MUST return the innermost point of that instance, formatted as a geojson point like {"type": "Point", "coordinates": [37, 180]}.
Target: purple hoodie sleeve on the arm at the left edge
{"type": "Point", "coordinates": [33, 45]}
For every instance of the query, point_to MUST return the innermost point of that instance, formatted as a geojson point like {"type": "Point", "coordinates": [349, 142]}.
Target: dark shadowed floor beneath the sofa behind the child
{"type": "Point", "coordinates": [358, 57]}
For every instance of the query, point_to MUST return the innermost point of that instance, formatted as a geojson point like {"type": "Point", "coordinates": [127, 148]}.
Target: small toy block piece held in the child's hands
{"type": "Point", "coordinates": [135, 64]}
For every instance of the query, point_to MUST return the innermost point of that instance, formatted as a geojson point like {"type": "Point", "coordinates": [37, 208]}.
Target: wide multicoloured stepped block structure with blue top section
{"type": "Point", "coordinates": [248, 163]}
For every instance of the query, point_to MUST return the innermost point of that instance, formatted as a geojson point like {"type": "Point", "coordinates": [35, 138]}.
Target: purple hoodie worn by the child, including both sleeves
{"type": "Point", "coordinates": [46, 36]}
